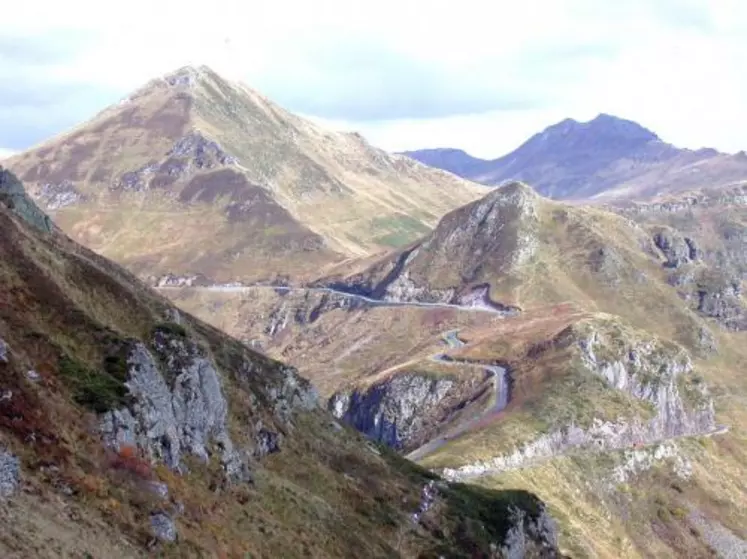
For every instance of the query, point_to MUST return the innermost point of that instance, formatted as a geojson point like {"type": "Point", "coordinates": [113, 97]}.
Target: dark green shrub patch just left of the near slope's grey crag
{"type": "Point", "coordinates": [99, 391]}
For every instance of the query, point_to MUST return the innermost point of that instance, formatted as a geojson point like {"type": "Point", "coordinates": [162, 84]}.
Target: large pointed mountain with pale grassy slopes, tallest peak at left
{"type": "Point", "coordinates": [194, 174]}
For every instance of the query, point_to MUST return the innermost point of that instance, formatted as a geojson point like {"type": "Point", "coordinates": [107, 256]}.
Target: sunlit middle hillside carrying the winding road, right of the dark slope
{"type": "Point", "coordinates": [592, 357]}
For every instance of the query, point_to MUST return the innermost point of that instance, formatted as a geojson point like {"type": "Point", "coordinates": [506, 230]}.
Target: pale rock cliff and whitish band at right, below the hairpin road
{"type": "Point", "coordinates": [646, 370]}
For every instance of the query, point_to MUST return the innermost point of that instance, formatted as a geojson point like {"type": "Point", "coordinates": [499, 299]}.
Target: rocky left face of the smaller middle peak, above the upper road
{"type": "Point", "coordinates": [470, 247]}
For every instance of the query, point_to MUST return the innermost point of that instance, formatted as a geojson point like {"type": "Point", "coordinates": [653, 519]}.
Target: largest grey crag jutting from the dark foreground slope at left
{"type": "Point", "coordinates": [177, 412]}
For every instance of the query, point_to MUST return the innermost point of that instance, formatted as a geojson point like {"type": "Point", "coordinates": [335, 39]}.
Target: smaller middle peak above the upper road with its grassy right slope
{"type": "Point", "coordinates": [521, 250]}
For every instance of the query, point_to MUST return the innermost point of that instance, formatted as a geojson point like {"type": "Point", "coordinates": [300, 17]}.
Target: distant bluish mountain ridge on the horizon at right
{"type": "Point", "coordinates": [605, 158]}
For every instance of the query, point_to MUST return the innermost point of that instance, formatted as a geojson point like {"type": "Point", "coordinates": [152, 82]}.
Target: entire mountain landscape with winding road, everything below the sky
{"type": "Point", "coordinates": [226, 330]}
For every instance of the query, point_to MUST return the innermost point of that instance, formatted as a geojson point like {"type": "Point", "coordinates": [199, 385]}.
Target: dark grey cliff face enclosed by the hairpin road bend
{"type": "Point", "coordinates": [394, 411]}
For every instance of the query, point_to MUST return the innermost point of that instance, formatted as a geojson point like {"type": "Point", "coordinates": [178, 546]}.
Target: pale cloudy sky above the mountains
{"type": "Point", "coordinates": [481, 75]}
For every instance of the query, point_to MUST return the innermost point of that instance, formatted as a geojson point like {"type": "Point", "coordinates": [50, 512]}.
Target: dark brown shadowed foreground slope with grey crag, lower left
{"type": "Point", "coordinates": [128, 428]}
